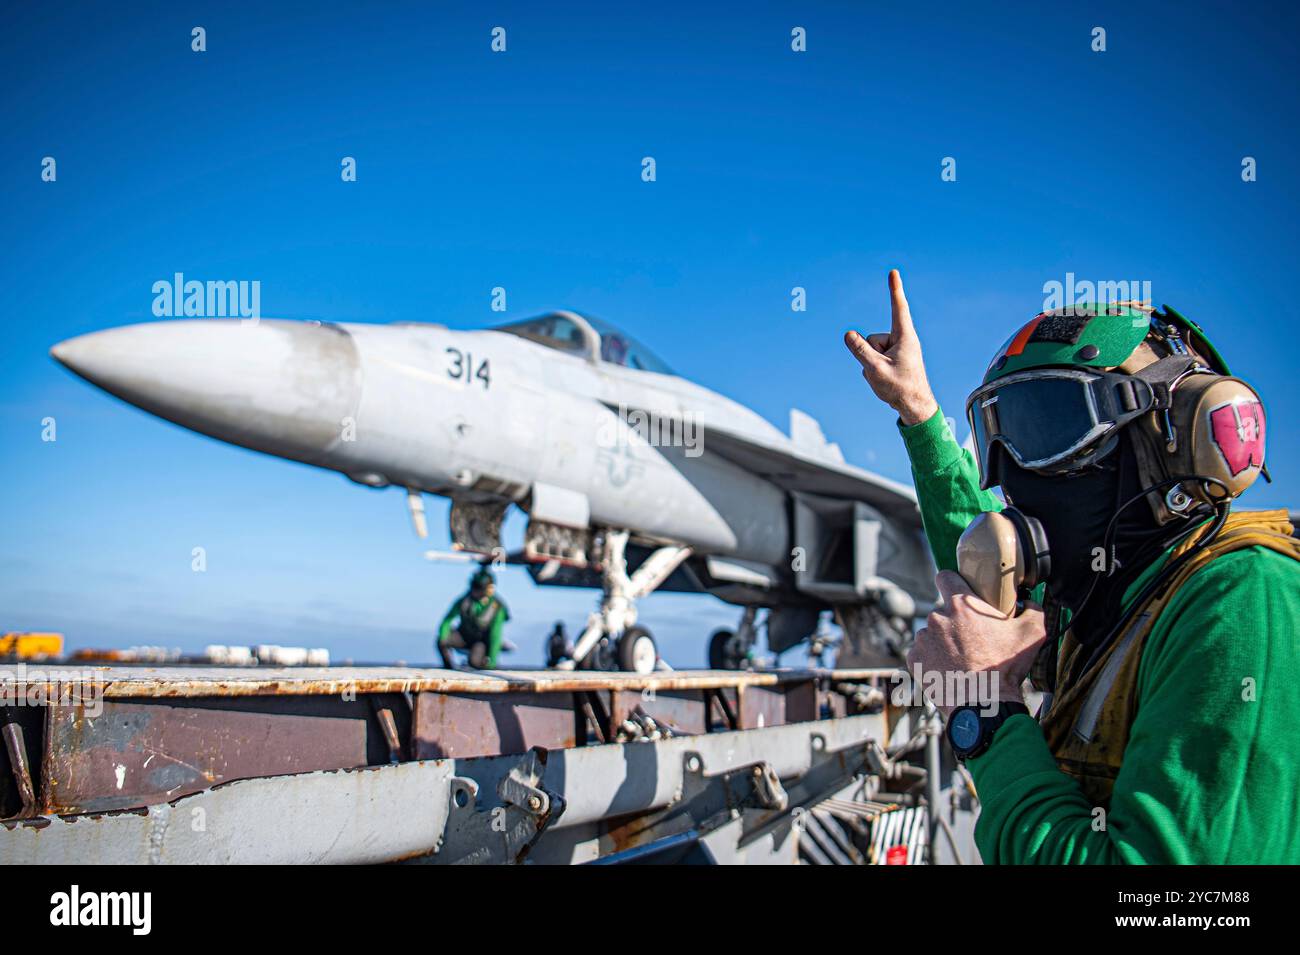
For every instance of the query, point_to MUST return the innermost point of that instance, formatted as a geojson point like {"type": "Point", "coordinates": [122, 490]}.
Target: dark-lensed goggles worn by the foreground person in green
{"type": "Point", "coordinates": [1054, 420]}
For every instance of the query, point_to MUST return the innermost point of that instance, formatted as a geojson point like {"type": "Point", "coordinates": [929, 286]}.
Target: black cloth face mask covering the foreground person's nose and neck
{"type": "Point", "coordinates": [1076, 513]}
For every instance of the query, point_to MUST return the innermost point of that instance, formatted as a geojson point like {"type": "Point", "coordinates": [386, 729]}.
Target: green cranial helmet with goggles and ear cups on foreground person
{"type": "Point", "coordinates": [1060, 392]}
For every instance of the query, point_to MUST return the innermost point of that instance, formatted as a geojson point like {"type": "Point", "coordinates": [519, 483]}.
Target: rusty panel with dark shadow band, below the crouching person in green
{"type": "Point", "coordinates": [492, 724]}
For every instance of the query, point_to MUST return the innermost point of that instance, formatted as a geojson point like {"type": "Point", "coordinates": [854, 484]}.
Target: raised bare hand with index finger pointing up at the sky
{"type": "Point", "coordinates": [892, 363]}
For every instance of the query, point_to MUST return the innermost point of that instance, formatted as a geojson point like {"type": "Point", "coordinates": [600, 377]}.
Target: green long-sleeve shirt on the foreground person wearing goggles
{"type": "Point", "coordinates": [1212, 769]}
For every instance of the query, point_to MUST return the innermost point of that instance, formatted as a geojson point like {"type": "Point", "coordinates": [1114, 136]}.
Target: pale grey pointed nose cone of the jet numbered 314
{"type": "Point", "coordinates": [278, 387]}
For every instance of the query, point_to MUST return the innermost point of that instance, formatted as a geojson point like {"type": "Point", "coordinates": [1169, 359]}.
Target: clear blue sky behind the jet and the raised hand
{"type": "Point", "coordinates": [522, 170]}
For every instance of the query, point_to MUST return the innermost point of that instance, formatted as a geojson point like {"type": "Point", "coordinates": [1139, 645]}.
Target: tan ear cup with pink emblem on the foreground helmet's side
{"type": "Point", "coordinates": [1220, 432]}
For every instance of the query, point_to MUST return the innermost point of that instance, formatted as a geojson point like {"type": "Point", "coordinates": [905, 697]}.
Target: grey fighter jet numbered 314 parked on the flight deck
{"type": "Point", "coordinates": [634, 480]}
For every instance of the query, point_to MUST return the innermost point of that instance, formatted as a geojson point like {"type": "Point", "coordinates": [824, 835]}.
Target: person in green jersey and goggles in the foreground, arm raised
{"type": "Point", "coordinates": [1167, 636]}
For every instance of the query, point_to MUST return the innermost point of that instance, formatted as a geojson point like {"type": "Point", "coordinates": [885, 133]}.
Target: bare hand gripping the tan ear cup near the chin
{"type": "Point", "coordinates": [967, 637]}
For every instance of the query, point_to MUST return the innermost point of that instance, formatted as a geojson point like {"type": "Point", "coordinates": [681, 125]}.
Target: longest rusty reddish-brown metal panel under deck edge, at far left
{"type": "Point", "coordinates": [145, 753]}
